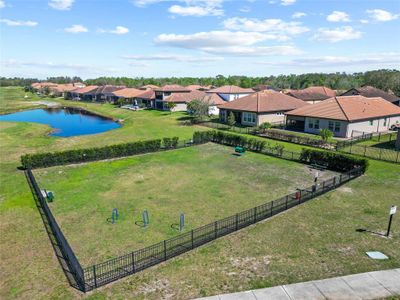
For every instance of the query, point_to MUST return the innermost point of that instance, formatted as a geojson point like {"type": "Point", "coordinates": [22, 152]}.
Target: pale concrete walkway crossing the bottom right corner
{"type": "Point", "coordinates": [371, 285]}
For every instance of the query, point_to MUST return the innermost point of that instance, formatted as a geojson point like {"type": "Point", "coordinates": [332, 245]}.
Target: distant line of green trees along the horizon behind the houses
{"type": "Point", "coordinates": [382, 79]}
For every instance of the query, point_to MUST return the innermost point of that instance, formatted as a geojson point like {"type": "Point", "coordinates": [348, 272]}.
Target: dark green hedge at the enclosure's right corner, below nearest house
{"type": "Point", "coordinates": [332, 160]}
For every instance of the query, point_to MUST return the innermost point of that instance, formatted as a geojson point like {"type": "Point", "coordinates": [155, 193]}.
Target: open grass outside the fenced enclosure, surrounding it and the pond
{"type": "Point", "coordinates": [315, 240]}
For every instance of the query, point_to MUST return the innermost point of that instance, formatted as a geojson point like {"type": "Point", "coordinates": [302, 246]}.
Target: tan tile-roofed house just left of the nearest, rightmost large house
{"type": "Point", "coordinates": [257, 108]}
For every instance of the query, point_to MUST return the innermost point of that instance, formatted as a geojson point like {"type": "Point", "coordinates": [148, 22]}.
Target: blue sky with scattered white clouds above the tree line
{"type": "Point", "coordinates": [162, 38]}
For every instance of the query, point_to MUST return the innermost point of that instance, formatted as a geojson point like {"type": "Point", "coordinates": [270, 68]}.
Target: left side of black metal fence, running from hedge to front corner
{"type": "Point", "coordinates": [74, 266]}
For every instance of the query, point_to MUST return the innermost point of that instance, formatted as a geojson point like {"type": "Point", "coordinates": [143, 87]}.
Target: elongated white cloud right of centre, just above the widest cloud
{"type": "Point", "coordinates": [282, 30]}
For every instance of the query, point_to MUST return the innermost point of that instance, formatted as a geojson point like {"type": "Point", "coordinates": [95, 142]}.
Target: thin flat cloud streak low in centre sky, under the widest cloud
{"type": "Point", "coordinates": [173, 57]}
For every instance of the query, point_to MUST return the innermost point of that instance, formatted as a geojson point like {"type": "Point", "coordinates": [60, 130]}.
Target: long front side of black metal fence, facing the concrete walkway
{"type": "Point", "coordinates": [116, 268]}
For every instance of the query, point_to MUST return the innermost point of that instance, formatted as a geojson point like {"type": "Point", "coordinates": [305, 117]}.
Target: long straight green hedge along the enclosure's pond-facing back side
{"type": "Point", "coordinates": [42, 160]}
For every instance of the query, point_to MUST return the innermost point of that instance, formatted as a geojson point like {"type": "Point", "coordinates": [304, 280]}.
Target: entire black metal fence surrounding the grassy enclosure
{"type": "Point", "coordinates": [97, 275]}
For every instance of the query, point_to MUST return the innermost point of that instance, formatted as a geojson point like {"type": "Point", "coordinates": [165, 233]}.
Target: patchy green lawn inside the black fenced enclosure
{"type": "Point", "coordinates": [205, 182]}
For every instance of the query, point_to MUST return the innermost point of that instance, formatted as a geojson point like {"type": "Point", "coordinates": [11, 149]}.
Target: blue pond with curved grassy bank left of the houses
{"type": "Point", "coordinates": [65, 121]}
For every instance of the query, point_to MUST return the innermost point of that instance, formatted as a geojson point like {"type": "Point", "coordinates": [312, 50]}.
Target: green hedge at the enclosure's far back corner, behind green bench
{"type": "Point", "coordinates": [221, 137]}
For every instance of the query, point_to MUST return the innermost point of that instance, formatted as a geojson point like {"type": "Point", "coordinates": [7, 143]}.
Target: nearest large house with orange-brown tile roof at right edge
{"type": "Point", "coordinates": [344, 114]}
